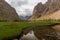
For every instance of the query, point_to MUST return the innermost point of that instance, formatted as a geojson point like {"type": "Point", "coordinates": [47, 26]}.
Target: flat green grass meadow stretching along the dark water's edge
{"type": "Point", "coordinates": [9, 29]}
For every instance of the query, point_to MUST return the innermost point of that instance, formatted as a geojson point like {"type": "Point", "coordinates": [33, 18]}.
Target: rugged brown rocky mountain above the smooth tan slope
{"type": "Point", "coordinates": [43, 9]}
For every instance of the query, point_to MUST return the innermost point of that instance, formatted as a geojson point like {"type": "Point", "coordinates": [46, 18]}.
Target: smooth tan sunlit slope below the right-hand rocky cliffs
{"type": "Point", "coordinates": [54, 16]}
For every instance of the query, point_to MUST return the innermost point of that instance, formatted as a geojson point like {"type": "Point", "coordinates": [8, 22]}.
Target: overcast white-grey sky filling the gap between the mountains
{"type": "Point", "coordinates": [24, 7]}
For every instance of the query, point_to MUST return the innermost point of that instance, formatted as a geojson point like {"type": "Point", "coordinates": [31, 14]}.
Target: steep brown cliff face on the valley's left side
{"type": "Point", "coordinates": [7, 12]}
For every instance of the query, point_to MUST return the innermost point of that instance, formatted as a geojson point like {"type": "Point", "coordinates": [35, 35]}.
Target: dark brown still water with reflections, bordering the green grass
{"type": "Point", "coordinates": [40, 33]}
